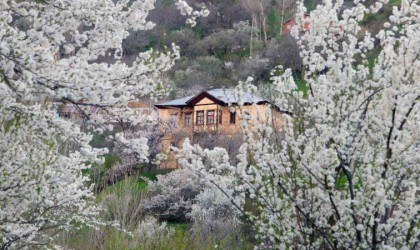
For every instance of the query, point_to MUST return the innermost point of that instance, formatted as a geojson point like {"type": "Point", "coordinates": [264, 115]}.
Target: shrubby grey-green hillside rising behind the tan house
{"type": "Point", "coordinates": [235, 41]}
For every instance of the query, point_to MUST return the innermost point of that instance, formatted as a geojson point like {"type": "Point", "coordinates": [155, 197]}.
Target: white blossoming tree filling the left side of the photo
{"type": "Point", "coordinates": [50, 51]}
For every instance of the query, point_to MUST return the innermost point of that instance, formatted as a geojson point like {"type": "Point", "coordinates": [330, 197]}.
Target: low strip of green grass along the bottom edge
{"type": "Point", "coordinates": [181, 238]}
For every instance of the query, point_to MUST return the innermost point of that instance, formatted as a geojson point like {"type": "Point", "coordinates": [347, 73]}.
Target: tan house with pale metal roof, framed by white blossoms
{"type": "Point", "coordinates": [209, 114]}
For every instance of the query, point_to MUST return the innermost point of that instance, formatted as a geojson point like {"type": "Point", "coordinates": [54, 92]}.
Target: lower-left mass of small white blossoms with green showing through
{"type": "Point", "coordinates": [40, 188]}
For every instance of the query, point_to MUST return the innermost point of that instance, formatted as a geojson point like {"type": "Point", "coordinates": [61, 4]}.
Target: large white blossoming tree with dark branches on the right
{"type": "Point", "coordinates": [346, 175]}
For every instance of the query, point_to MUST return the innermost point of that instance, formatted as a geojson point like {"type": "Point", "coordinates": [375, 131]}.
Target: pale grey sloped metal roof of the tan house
{"type": "Point", "coordinates": [224, 95]}
